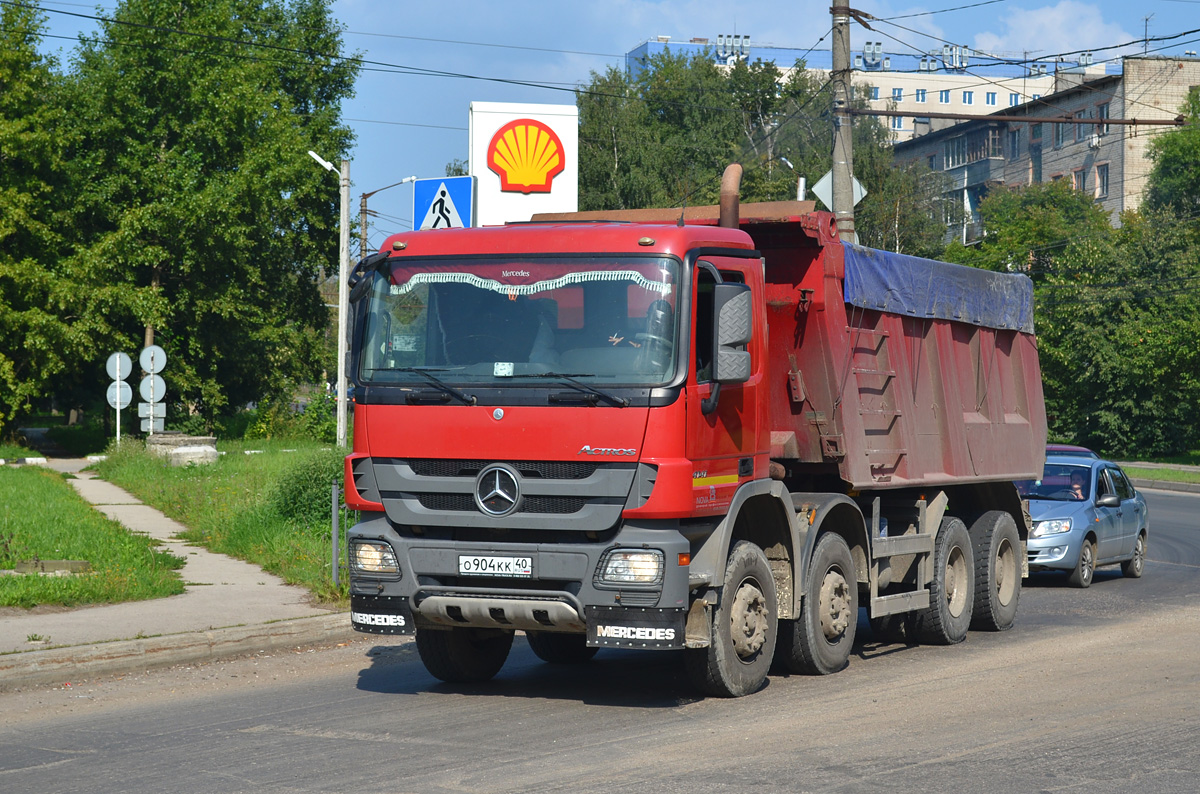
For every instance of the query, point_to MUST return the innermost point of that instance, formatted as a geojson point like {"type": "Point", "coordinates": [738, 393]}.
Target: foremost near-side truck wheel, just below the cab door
{"type": "Point", "coordinates": [745, 629]}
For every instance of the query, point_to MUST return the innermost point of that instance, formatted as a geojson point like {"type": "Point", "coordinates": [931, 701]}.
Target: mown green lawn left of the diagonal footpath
{"type": "Point", "coordinates": [43, 518]}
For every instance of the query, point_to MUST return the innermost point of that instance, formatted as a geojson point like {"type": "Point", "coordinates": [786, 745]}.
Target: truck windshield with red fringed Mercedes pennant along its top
{"type": "Point", "coordinates": [609, 321]}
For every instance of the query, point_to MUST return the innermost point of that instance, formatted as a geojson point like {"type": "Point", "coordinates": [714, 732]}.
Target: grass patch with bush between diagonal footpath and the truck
{"type": "Point", "coordinates": [272, 508]}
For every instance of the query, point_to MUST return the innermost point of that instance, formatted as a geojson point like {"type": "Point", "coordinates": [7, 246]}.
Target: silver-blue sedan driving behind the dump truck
{"type": "Point", "coordinates": [1085, 514]}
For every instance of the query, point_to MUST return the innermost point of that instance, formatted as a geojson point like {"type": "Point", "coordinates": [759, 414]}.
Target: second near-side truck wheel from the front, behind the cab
{"type": "Point", "coordinates": [820, 641]}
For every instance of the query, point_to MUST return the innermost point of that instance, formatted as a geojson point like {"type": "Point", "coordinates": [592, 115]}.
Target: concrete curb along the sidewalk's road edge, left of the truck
{"type": "Point", "coordinates": [75, 663]}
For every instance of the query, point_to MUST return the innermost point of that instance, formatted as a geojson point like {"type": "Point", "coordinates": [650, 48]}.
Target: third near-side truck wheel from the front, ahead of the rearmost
{"type": "Point", "coordinates": [946, 621]}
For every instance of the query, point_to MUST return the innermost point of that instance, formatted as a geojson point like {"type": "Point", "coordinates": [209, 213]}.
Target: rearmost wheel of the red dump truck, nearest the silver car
{"type": "Point", "coordinates": [998, 549]}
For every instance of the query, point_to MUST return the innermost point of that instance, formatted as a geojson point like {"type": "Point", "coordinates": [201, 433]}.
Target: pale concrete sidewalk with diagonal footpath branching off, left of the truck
{"type": "Point", "coordinates": [230, 609]}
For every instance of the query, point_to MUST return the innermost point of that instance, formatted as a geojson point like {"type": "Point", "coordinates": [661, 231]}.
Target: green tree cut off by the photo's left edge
{"type": "Point", "coordinates": [40, 338]}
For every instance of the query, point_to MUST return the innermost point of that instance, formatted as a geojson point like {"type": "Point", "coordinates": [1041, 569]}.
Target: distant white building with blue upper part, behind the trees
{"type": "Point", "coordinates": [953, 80]}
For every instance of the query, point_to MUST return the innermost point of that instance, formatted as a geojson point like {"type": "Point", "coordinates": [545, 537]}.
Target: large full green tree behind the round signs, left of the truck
{"type": "Point", "coordinates": [200, 221]}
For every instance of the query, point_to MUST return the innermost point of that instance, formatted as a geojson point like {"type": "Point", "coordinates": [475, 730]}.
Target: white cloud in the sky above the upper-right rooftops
{"type": "Point", "coordinates": [1065, 27]}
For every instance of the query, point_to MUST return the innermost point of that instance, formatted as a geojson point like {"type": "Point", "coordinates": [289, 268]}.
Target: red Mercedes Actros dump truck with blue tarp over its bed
{"type": "Point", "coordinates": [717, 430]}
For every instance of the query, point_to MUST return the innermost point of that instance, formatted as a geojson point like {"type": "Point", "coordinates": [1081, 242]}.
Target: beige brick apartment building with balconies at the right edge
{"type": "Point", "coordinates": [1108, 163]}
